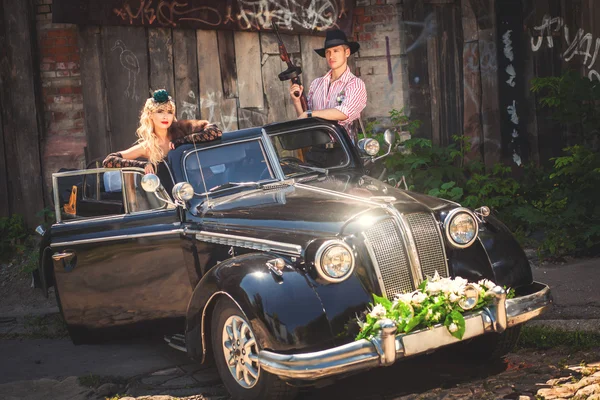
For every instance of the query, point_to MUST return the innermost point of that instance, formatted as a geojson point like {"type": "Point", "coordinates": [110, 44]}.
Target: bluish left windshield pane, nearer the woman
{"type": "Point", "coordinates": [221, 165]}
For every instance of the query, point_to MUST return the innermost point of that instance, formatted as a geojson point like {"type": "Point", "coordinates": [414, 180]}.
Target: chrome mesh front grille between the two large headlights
{"type": "Point", "coordinates": [385, 244]}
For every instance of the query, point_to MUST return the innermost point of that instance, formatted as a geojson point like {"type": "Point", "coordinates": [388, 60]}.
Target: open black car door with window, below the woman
{"type": "Point", "coordinates": [119, 269]}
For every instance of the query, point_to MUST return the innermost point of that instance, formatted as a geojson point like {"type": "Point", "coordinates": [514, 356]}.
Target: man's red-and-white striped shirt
{"type": "Point", "coordinates": [347, 94]}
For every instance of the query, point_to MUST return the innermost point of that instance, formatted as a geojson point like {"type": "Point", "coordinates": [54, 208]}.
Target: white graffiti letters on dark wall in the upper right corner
{"type": "Point", "coordinates": [581, 44]}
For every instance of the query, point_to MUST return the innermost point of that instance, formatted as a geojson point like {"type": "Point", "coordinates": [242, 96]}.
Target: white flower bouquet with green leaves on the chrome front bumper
{"type": "Point", "coordinates": [436, 301]}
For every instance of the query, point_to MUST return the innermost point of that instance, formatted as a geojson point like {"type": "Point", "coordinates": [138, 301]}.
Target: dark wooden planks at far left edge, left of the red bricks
{"type": "Point", "coordinates": [20, 166]}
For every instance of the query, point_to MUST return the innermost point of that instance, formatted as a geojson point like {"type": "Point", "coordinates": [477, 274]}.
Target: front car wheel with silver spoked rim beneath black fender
{"type": "Point", "coordinates": [236, 355]}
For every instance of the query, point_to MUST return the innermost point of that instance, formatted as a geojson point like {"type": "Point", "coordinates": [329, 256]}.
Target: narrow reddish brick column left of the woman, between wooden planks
{"type": "Point", "coordinates": [64, 140]}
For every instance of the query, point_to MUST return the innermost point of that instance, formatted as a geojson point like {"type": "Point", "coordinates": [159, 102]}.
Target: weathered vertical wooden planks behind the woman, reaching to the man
{"type": "Point", "coordinates": [229, 78]}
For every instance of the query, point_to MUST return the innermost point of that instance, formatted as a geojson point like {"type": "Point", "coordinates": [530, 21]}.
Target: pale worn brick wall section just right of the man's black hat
{"type": "Point", "coordinates": [380, 61]}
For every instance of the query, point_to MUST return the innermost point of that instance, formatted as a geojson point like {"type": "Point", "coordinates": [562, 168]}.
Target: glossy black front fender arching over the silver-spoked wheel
{"type": "Point", "coordinates": [284, 311]}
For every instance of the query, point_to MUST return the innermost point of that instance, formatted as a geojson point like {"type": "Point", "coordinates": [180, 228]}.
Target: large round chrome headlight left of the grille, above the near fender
{"type": "Point", "coordinates": [334, 261]}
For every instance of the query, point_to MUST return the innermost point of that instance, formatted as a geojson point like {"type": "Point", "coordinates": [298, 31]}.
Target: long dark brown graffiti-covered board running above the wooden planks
{"type": "Point", "coordinates": [302, 16]}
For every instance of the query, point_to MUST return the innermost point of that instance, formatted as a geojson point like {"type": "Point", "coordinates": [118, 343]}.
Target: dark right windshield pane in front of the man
{"type": "Point", "coordinates": [309, 151]}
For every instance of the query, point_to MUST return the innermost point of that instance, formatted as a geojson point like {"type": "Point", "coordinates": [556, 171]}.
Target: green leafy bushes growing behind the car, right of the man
{"type": "Point", "coordinates": [556, 209]}
